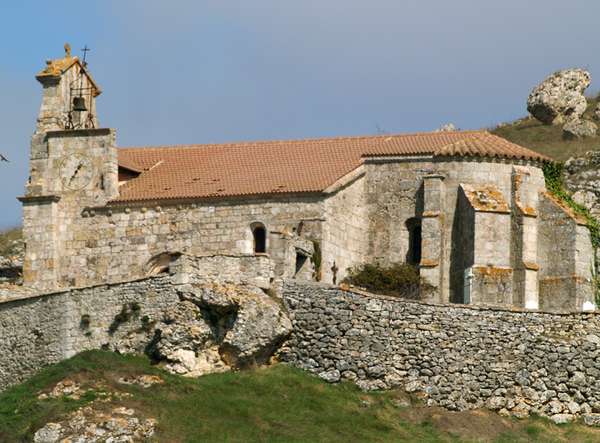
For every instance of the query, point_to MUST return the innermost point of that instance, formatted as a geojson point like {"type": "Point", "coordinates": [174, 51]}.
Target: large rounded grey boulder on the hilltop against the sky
{"type": "Point", "coordinates": [559, 97]}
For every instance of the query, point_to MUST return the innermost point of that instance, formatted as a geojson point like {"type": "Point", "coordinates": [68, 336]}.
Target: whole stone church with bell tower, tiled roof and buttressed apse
{"type": "Point", "coordinates": [468, 208]}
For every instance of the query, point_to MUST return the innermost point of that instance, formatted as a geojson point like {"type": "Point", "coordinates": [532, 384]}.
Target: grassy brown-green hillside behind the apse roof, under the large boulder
{"type": "Point", "coordinates": [530, 133]}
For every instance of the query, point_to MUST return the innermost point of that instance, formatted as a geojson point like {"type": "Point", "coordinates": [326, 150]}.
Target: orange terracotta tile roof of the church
{"type": "Point", "coordinates": [292, 166]}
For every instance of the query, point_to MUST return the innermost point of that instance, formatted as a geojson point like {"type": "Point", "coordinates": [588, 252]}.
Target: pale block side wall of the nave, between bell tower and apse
{"type": "Point", "coordinates": [115, 244]}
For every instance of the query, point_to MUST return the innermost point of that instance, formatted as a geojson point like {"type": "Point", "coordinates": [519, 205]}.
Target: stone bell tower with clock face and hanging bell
{"type": "Point", "coordinates": [73, 165]}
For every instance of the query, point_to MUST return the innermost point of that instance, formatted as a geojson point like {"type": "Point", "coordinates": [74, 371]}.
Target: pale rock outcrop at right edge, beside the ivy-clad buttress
{"type": "Point", "coordinates": [582, 179]}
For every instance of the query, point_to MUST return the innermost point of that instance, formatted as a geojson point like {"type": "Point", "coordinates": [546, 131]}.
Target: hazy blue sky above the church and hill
{"type": "Point", "coordinates": [183, 71]}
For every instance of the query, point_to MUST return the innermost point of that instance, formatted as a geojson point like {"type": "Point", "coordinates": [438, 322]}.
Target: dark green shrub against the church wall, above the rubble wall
{"type": "Point", "coordinates": [399, 280]}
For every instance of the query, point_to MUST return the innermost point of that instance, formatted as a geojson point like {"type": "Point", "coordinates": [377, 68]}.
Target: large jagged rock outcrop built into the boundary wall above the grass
{"type": "Point", "coordinates": [213, 328]}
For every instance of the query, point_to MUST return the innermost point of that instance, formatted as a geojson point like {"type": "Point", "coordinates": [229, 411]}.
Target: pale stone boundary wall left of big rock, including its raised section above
{"type": "Point", "coordinates": [41, 329]}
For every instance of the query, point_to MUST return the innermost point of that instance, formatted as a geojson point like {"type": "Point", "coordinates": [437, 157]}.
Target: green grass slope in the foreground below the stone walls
{"type": "Point", "coordinates": [275, 404]}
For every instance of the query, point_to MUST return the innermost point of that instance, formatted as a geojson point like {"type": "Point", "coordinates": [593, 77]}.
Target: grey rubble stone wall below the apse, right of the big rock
{"type": "Point", "coordinates": [455, 357]}
